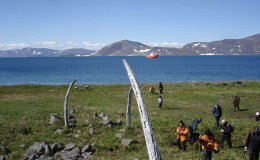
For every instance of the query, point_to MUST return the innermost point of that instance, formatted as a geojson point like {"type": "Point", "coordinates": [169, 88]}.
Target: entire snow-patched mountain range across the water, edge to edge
{"type": "Point", "coordinates": [245, 46]}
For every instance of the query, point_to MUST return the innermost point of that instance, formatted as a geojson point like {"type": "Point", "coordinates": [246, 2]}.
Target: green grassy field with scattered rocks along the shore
{"type": "Point", "coordinates": [30, 106]}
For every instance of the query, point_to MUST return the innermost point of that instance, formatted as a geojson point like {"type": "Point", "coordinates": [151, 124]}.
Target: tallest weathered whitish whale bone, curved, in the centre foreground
{"type": "Point", "coordinates": [151, 145]}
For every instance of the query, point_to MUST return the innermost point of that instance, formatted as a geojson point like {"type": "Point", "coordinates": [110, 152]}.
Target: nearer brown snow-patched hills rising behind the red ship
{"type": "Point", "coordinates": [245, 46]}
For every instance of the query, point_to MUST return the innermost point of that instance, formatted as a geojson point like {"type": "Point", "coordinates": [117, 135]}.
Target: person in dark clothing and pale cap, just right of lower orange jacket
{"type": "Point", "coordinates": [226, 130]}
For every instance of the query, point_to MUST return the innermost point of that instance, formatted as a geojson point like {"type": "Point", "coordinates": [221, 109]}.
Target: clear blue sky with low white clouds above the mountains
{"type": "Point", "coordinates": [93, 24]}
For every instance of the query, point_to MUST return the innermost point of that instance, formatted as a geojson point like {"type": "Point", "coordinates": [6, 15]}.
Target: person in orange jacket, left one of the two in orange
{"type": "Point", "coordinates": [182, 136]}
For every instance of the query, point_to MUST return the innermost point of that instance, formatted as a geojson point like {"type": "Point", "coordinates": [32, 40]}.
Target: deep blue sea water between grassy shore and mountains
{"type": "Point", "coordinates": [110, 70]}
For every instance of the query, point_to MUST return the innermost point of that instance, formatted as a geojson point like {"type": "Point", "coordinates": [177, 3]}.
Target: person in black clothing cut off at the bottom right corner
{"type": "Point", "coordinates": [253, 143]}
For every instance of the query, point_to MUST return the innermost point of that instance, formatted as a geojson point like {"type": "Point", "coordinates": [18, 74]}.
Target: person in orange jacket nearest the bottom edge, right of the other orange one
{"type": "Point", "coordinates": [209, 144]}
